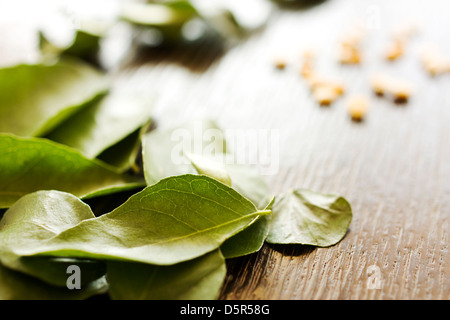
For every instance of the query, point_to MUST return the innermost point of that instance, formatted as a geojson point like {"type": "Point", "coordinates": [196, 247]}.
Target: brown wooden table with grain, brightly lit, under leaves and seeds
{"type": "Point", "coordinates": [394, 167]}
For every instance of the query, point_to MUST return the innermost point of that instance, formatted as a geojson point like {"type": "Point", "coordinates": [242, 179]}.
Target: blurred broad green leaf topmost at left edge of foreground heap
{"type": "Point", "coordinates": [43, 95]}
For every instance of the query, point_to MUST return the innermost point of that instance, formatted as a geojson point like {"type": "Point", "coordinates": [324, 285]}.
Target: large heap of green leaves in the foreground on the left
{"type": "Point", "coordinates": [69, 139]}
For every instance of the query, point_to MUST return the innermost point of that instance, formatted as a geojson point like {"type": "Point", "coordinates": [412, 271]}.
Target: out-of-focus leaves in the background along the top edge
{"type": "Point", "coordinates": [154, 23]}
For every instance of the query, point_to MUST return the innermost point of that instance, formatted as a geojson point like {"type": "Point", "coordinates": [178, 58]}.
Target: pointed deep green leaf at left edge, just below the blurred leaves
{"type": "Point", "coordinates": [31, 164]}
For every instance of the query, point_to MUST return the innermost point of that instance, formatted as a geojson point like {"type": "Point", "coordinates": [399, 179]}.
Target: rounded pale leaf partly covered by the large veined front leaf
{"type": "Point", "coordinates": [38, 216]}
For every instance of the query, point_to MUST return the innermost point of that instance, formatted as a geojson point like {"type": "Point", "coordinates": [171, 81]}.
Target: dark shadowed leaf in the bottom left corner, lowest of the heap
{"type": "Point", "coordinates": [18, 286]}
